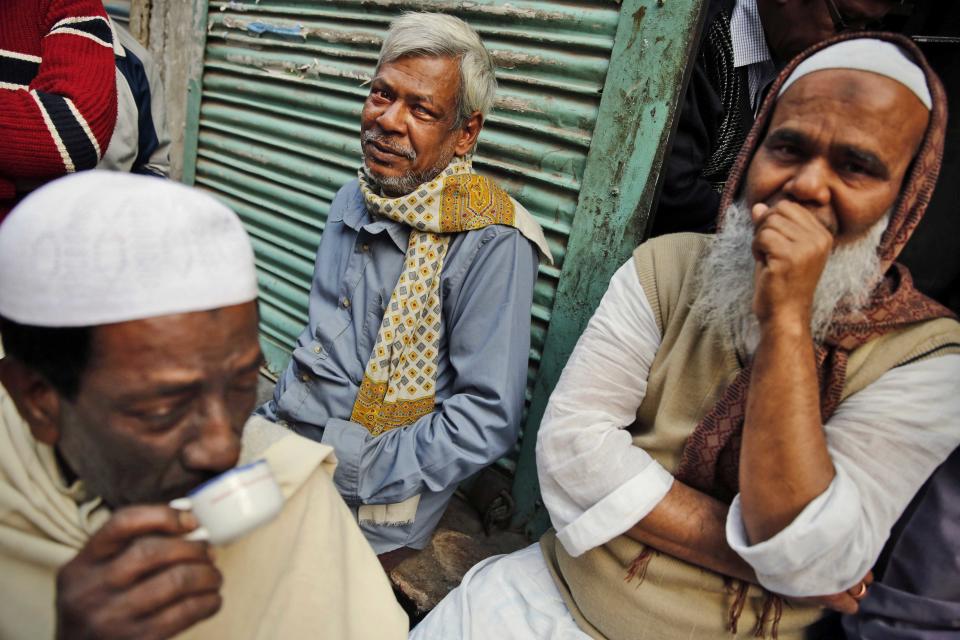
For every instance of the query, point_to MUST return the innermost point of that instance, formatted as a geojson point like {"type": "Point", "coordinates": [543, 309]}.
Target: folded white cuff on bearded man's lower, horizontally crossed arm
{"type": "Point", "coordinates": [617, 512]}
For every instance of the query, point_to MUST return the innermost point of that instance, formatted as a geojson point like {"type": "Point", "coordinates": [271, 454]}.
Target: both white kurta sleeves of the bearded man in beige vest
{"type": "Point", "coordinates": [884, 442]}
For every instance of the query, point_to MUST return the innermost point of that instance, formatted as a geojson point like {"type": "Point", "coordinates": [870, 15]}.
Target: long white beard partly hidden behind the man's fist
{"type": "Point", "coordinates": [726, 275]}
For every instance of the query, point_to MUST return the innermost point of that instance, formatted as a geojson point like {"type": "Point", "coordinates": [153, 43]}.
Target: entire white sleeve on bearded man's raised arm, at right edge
{"type": "Point", "coordinates": [884, 442]}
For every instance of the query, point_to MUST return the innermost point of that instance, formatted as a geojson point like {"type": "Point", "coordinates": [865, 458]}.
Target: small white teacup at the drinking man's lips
{"type": "Point", "coordinates": [234, 503]}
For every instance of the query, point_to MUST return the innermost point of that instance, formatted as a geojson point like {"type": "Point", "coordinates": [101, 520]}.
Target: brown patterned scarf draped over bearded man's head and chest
{"type": "Point", "coordinates": [711, 455]}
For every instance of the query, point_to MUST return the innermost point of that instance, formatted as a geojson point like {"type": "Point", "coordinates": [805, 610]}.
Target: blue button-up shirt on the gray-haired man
{"type": "Point", "coordinates": [486, 289]}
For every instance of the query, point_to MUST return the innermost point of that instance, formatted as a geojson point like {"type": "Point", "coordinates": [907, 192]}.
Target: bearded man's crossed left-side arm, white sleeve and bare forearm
{"type": "Point", "coordinates": [595, 482]}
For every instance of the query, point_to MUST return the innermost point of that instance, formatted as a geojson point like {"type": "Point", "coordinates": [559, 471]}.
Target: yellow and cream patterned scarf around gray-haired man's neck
{"type": "Point", "coordinates": [399, 383]}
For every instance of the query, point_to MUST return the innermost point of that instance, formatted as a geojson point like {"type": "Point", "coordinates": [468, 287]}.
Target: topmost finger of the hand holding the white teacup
{"type": "Point", "coordinates": [132, 522]}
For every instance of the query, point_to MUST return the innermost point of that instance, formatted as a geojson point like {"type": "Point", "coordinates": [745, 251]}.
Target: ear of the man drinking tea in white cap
{"type": "Point", "coordinates": [35, 399]}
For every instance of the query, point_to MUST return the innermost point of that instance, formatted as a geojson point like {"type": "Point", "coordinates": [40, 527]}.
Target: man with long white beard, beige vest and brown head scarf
{"type": "Point", "coordinates": [745, 418]}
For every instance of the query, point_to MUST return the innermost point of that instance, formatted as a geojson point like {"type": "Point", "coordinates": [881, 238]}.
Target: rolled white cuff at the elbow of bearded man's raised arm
{"type": "Point", "coordinates": [810, 556]}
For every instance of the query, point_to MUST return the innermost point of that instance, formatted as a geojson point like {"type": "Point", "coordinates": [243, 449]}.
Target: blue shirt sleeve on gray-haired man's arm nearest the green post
{"type": "Point", "coordinates": [488, 328]}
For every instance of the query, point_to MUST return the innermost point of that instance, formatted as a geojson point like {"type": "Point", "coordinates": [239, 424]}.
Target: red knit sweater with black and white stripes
{"type": "Point", "coordinates": [58, 95]}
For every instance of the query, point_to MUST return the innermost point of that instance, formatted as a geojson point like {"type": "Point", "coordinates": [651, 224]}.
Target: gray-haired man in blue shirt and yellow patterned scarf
{"type": "Point", "coordinates": [413, 364]}
